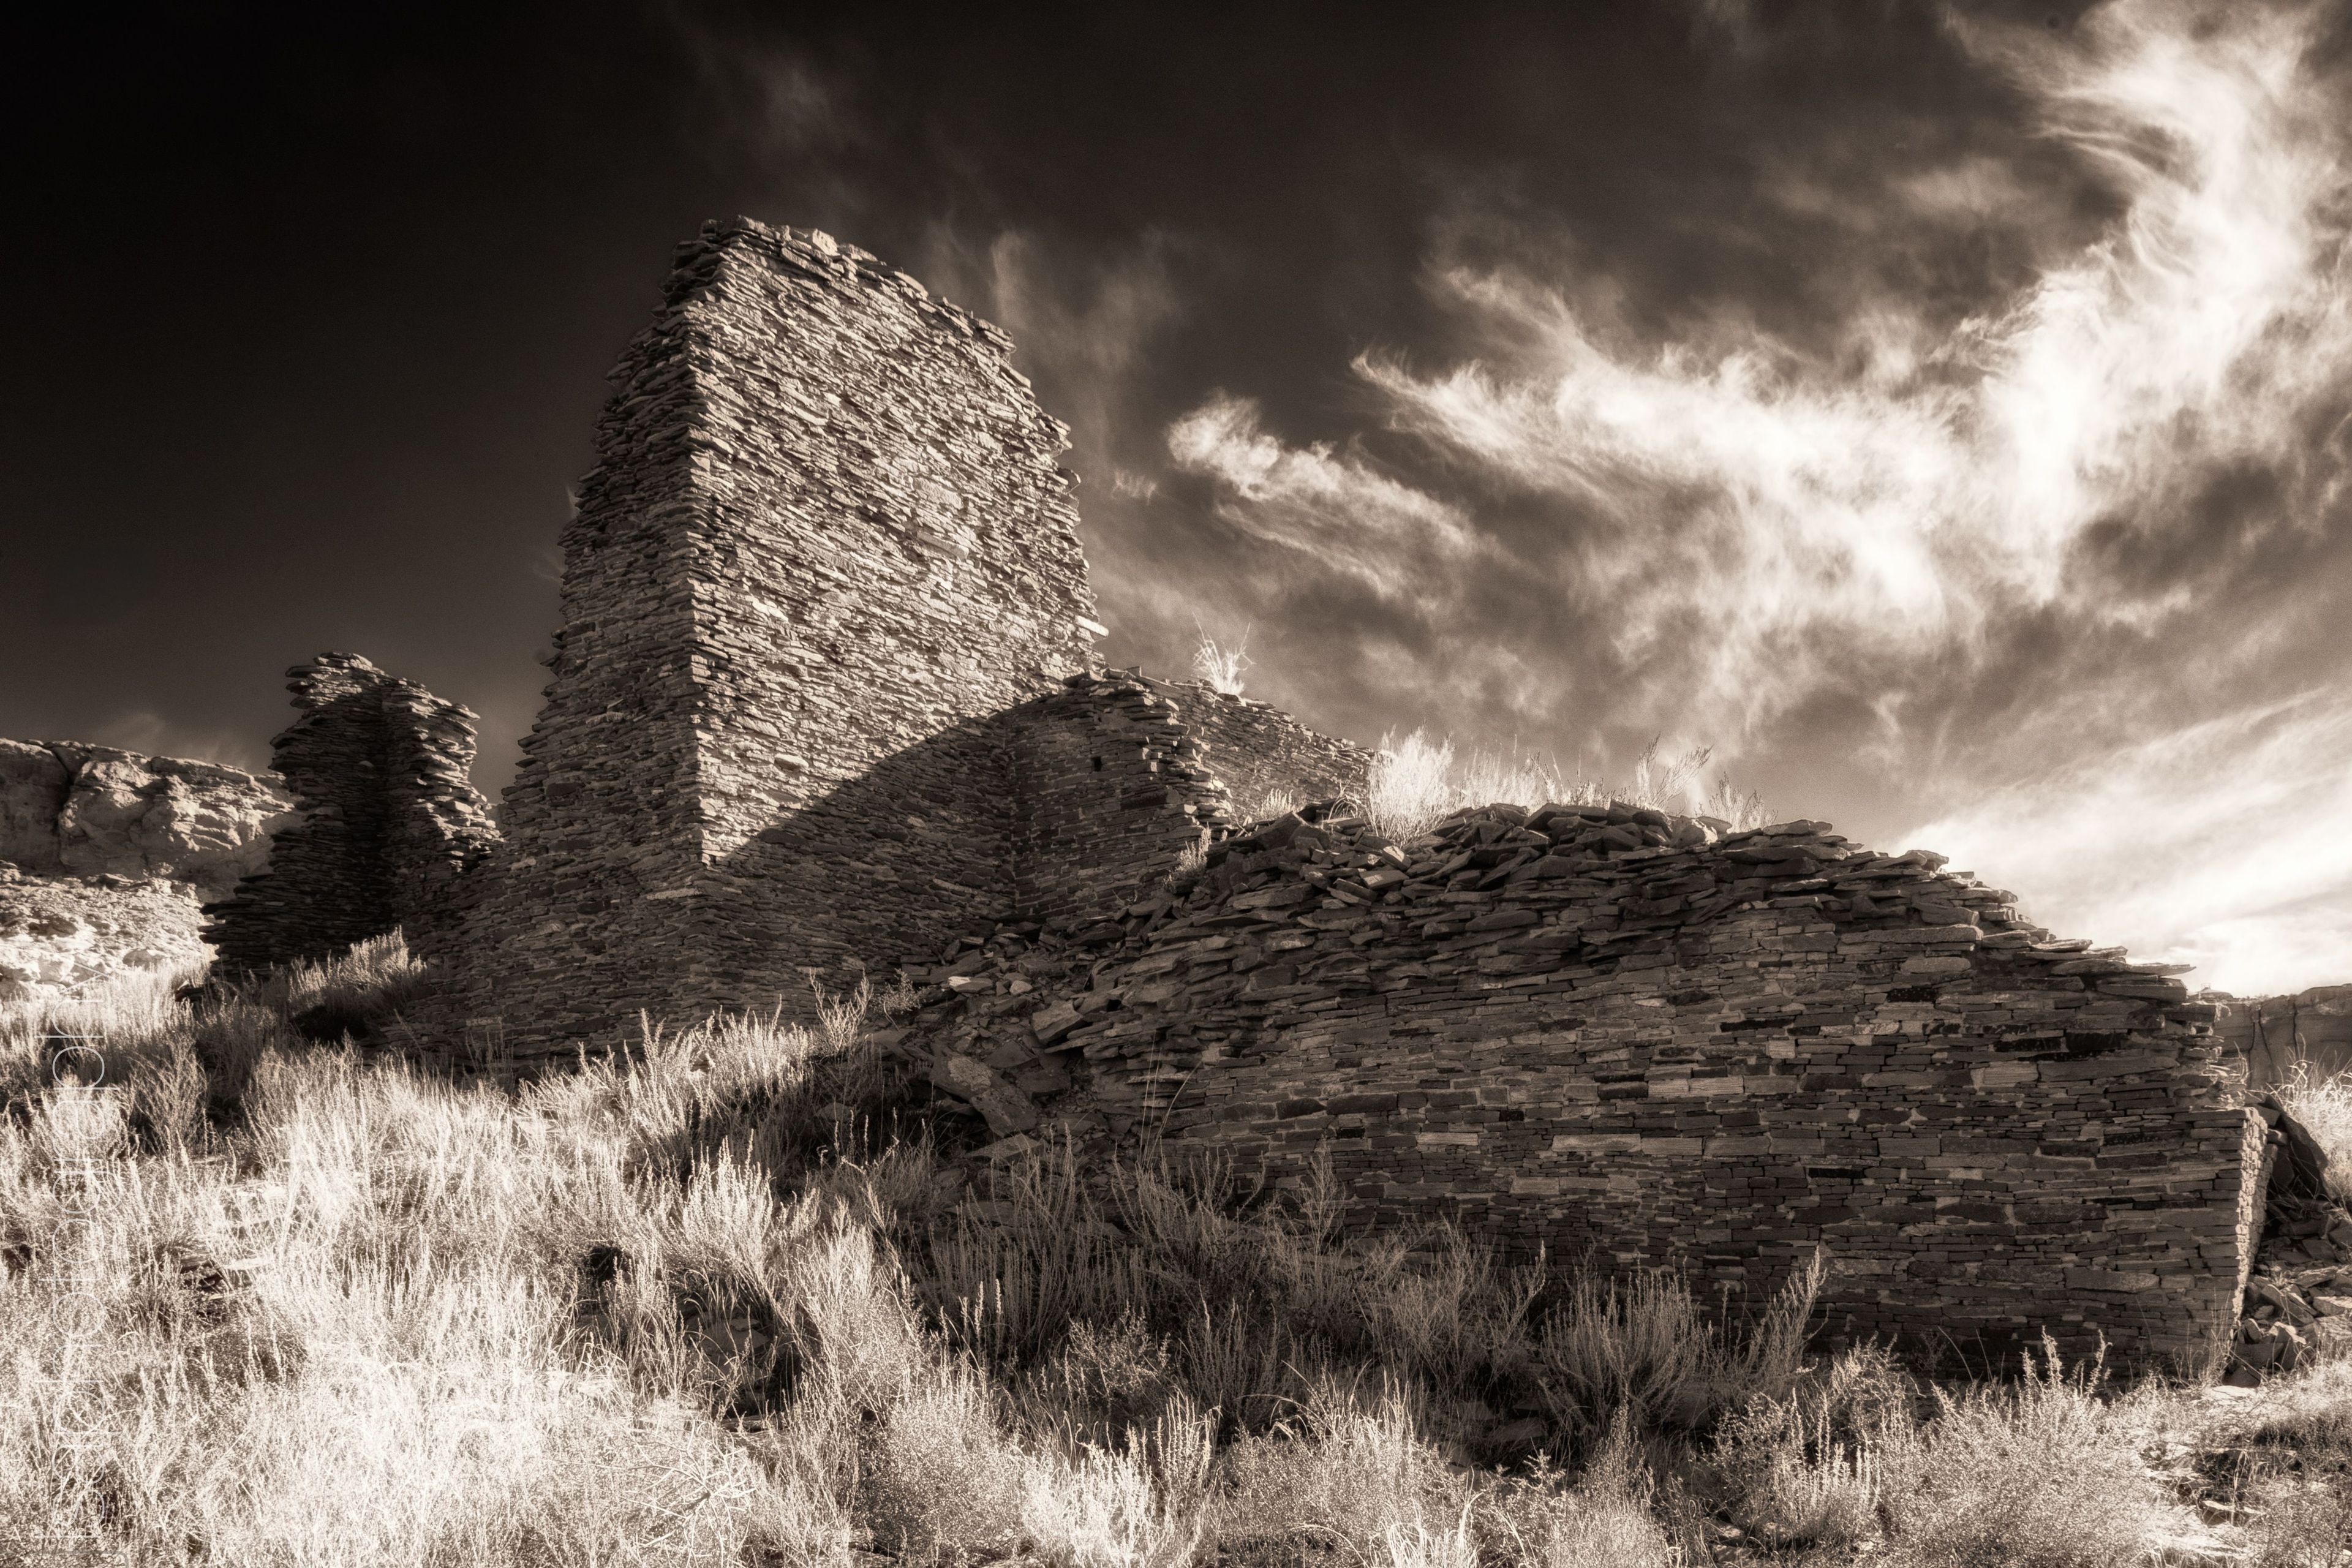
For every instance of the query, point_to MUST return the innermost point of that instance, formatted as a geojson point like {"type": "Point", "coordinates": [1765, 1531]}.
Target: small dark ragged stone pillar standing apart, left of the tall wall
{"type": "Point", "coordinates": [385, 819]}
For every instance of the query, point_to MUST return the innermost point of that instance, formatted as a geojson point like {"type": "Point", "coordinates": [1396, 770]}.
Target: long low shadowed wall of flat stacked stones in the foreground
{"type": "Point", "coordinates": [1622, 1038]}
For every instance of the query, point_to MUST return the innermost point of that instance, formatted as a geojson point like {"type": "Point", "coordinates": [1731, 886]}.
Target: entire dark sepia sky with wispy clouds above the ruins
{"type": "Point", "coordinates": [1942, 413]}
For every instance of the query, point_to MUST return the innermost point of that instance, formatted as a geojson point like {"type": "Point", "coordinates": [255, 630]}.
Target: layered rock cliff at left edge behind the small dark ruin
{"type": "Point", "coordinates": [93, 810]}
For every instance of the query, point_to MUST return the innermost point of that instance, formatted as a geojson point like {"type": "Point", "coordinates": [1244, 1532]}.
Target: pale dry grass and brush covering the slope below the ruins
{"type": "Point", "coordinates": [671, 1308]}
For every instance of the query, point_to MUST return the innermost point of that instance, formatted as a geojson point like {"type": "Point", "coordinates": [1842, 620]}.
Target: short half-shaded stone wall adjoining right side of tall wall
{"type": "Point", "coordinates": [1118, 775]}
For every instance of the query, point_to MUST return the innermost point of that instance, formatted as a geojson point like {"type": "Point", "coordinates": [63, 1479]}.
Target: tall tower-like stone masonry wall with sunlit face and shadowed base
{"type": "Point", "coordinates": [824, 547]}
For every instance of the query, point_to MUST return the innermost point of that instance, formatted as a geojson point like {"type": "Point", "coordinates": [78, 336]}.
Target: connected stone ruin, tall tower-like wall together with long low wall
{"type": "Point", "coordinates": [824, 702]}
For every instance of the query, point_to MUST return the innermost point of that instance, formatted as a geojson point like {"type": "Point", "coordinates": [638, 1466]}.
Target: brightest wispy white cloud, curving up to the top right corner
{"type": "Point", "coordinates": [1902, 507]}
